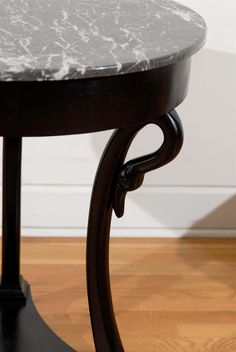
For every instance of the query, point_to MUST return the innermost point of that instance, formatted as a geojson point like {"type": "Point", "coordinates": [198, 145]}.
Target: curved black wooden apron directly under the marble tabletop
{"type": "Point", "coordinates": [89, 105]}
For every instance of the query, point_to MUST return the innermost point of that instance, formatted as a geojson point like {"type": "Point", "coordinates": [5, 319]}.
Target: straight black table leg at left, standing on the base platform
{"type": "Point", "coordinates": [11, 282]}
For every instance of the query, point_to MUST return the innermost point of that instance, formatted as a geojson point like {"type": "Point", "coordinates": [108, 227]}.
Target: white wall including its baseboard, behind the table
{"type": "Point", "coordinates": [195, 195]}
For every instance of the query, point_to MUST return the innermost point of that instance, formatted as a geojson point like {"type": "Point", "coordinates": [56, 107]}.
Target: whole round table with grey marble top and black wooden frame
{"type": "Point", "coordinates": [82, 66]}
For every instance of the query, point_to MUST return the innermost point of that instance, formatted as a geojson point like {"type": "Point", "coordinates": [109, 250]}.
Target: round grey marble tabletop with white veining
{"type": "Point", "coordinates": [70, 39]}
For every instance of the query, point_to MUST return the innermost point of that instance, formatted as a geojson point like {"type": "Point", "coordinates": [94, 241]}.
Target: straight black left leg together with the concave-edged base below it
{"type": "Point", "coordinates": [21, 327]}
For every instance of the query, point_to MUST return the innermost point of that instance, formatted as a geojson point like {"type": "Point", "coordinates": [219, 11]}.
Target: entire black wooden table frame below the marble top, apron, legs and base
{"type": "Point", "coordinates": [128, 103]}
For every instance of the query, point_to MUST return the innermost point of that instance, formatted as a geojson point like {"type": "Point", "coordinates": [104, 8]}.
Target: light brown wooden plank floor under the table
{"type": "Point", "coordinates": [169, 295]}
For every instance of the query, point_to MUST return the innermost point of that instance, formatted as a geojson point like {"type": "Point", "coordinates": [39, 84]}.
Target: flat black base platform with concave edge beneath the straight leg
{"type": "Point", "coordinates": [23, 330]}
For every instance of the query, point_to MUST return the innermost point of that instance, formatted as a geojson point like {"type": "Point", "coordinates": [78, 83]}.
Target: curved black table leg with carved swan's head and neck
{"type": "Point", "coordinates": [113, 180]}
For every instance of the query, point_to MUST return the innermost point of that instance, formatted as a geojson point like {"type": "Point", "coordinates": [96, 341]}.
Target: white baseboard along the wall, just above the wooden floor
{"type": "Point", "coordinates": [151, 211]}
